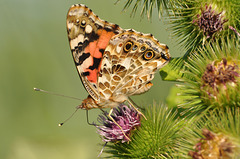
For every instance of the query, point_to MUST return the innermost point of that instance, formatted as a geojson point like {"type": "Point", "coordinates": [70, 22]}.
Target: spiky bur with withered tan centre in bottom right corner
{"type": "Point", "coordinates": [217, 135]}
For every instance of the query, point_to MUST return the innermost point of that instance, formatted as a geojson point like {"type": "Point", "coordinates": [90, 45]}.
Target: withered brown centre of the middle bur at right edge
{"type": "Point", "coordinates": [218, 81]}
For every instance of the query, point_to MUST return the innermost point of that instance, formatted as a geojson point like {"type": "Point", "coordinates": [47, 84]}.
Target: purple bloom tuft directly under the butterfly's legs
{"type": "Point", "coordinates": [127, 118]}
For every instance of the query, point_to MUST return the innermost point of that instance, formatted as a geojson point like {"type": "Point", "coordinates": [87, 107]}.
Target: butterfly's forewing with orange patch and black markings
{"type": "Point", "coordinates": [88, 37]}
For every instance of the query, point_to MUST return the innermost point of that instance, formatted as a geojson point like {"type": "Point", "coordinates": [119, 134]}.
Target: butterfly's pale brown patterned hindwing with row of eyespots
{"type": "Point", "coordinates": [129, 64]}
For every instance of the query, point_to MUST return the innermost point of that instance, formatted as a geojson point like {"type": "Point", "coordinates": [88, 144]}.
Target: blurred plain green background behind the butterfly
{"type": "Point", "coordinates": [34, 52]}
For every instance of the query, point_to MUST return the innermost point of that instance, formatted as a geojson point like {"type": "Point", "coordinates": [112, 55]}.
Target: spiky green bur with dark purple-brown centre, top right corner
{"type": "Point", "coordinates": [199, 21]}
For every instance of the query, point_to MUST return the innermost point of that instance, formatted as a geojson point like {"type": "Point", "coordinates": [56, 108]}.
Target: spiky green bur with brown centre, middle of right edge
{"type": "Point", "coordinates": [212, 77]}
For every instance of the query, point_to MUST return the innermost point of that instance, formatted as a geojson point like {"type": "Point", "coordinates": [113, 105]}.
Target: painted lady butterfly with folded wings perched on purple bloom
{"type": "Point", "coordinates": [112, 63]}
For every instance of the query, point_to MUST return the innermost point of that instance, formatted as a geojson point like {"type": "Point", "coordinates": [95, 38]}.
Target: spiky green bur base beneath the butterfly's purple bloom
{"type": "Point", "coordinates": [156, 138]}
